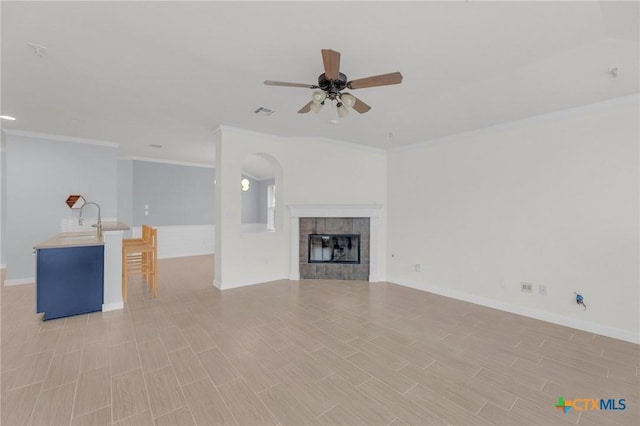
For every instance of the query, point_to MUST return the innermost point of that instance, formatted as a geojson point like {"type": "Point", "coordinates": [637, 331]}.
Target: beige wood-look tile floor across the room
{"type": "Point", "coordinates": [302, 353]}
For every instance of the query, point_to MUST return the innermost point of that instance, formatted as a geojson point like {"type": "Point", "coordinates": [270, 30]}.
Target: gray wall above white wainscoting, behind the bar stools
{"type": "Point", "coordinates": [175, 194]}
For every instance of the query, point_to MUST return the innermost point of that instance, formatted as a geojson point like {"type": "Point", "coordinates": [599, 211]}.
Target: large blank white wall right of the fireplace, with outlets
{"type": "Point", "coordinates": [551, 202]}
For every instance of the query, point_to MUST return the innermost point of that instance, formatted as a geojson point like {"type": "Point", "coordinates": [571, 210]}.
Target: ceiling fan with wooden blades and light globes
{"type": "Point", "coordinates": [332, 82]}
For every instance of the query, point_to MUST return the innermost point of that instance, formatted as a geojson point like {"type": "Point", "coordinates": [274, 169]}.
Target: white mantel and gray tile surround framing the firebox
{"type": "Point", "coordinates": [357, 219]}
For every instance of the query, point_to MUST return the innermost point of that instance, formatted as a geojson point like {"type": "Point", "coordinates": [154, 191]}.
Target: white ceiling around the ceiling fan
{"type": "Point", "coordinates": [168, 73]}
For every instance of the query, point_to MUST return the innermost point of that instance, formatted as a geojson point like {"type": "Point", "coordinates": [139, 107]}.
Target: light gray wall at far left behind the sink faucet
{"type": "Point", "coordinates": [41, 174]}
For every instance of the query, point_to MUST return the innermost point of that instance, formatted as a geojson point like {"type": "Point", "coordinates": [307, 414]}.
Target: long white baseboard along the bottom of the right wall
{"type": "Point", "coordinates": [612, 332]}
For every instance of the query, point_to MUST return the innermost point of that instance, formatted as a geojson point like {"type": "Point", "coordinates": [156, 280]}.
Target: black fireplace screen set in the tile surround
{"type": "Point", "coordinates": [332, 248]}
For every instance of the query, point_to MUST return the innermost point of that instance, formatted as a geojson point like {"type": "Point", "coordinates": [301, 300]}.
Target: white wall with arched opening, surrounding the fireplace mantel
{"type": "Point", "coordinates": [311, 172]}
